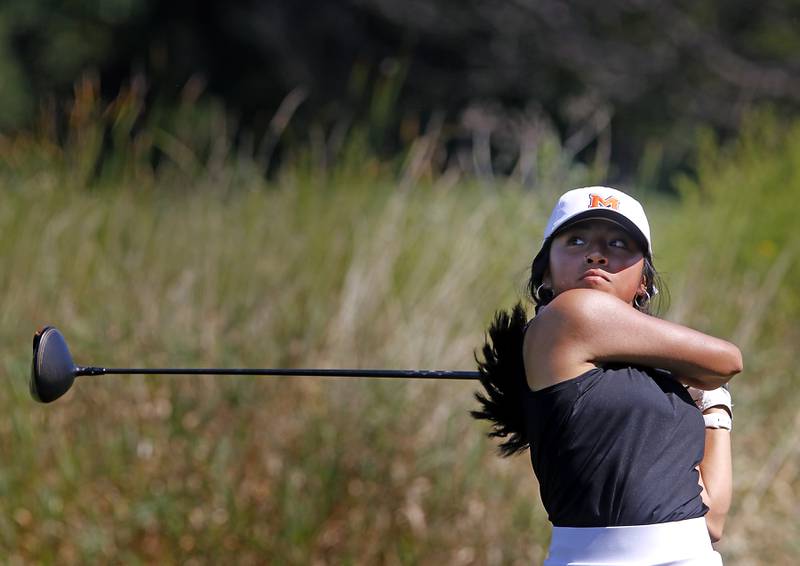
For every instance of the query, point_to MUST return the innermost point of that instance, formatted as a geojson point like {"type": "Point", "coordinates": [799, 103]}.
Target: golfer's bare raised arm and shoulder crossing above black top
{"type": "Point", "coordinates": [583, 327]}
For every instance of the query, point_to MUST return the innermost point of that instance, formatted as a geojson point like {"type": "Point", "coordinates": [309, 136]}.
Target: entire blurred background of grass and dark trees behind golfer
{"type": "Point", "coordinates": [363, 183]}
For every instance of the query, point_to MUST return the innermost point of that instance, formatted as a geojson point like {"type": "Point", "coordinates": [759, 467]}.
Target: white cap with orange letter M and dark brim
{"type": "Point", "coordinates": [600, 202]}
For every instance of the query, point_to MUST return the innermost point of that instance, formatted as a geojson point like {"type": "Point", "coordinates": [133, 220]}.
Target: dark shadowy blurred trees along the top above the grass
{"type": "Point", "coordinates": [633, 79]}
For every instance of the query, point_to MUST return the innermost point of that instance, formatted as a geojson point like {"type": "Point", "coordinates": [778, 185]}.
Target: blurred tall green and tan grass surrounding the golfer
{"type": "Point", "coordinates": [199, 261]}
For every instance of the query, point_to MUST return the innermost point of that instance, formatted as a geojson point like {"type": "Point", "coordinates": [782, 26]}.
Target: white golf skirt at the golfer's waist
{"type": "Point", "coordinates": [680, 543]}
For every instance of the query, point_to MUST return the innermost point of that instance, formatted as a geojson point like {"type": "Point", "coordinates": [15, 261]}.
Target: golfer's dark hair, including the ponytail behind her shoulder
{"type": "Point", "coordinates": [502, 371]}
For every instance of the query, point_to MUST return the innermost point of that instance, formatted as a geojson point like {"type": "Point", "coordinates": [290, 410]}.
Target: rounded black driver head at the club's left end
{"type": "Point", "coordinates": [52, 370]}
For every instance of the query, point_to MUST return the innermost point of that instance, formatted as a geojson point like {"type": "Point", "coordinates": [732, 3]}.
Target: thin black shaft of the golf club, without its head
{"type": "Point", "coordinates": [282, 372]}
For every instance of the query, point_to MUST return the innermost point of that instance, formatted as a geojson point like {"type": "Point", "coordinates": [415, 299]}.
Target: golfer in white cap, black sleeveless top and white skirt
{"type": "Point", "coordinates": [625, 415]}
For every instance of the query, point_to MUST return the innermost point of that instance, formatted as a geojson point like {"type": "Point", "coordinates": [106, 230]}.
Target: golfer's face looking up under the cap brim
{"type": "Point", "coordinates": [596, 254]}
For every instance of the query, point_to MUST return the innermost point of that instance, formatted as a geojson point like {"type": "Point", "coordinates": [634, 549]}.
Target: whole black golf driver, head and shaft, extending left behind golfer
{"type": "Point", "coordinates": [53, 371]}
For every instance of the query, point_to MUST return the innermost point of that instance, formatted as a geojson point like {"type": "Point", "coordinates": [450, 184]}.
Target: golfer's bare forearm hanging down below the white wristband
{"type": "Point", "coordinates": [716, 477]}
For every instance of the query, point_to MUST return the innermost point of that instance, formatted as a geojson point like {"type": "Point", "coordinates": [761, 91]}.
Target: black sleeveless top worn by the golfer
{"type": "Point", "coordinates": [616, 446]}
